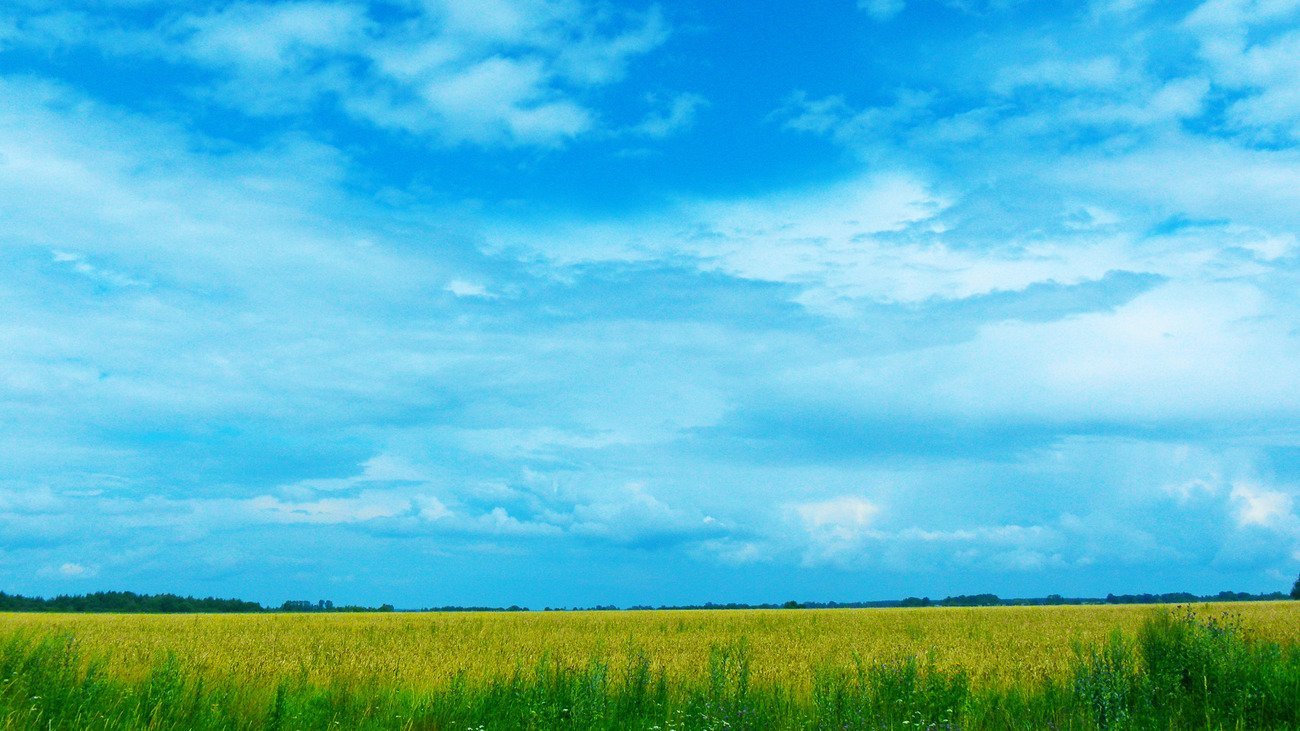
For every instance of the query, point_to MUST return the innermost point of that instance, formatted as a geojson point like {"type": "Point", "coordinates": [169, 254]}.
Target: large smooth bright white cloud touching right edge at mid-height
{"type": "Point", "coordinates": [1180, 352]}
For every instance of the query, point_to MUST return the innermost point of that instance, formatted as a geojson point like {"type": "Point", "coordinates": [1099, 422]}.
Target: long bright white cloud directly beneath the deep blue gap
{"type": "Point", "coordinates": [838, 239]}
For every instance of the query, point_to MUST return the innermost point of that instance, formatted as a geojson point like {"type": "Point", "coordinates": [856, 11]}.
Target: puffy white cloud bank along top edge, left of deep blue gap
{"type": "Point", "coordinates": [514, 73]}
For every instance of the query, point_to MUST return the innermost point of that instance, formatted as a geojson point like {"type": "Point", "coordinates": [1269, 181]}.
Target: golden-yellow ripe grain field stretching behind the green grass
{"type": "Point", "coordinates": [999, 647]}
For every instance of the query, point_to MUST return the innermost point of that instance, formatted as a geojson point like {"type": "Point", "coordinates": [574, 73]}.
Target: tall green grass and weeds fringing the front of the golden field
{"type": "Point", "coordinates": [1178, 672]}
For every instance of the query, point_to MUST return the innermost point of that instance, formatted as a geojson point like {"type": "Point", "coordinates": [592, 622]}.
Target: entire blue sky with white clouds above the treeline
{"type": "Point", "coordinates": [578, 302]}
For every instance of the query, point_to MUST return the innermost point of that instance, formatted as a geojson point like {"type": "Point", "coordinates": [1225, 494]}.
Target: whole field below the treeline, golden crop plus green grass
{"type": "Point", "coordinates": [1073, 667]}
